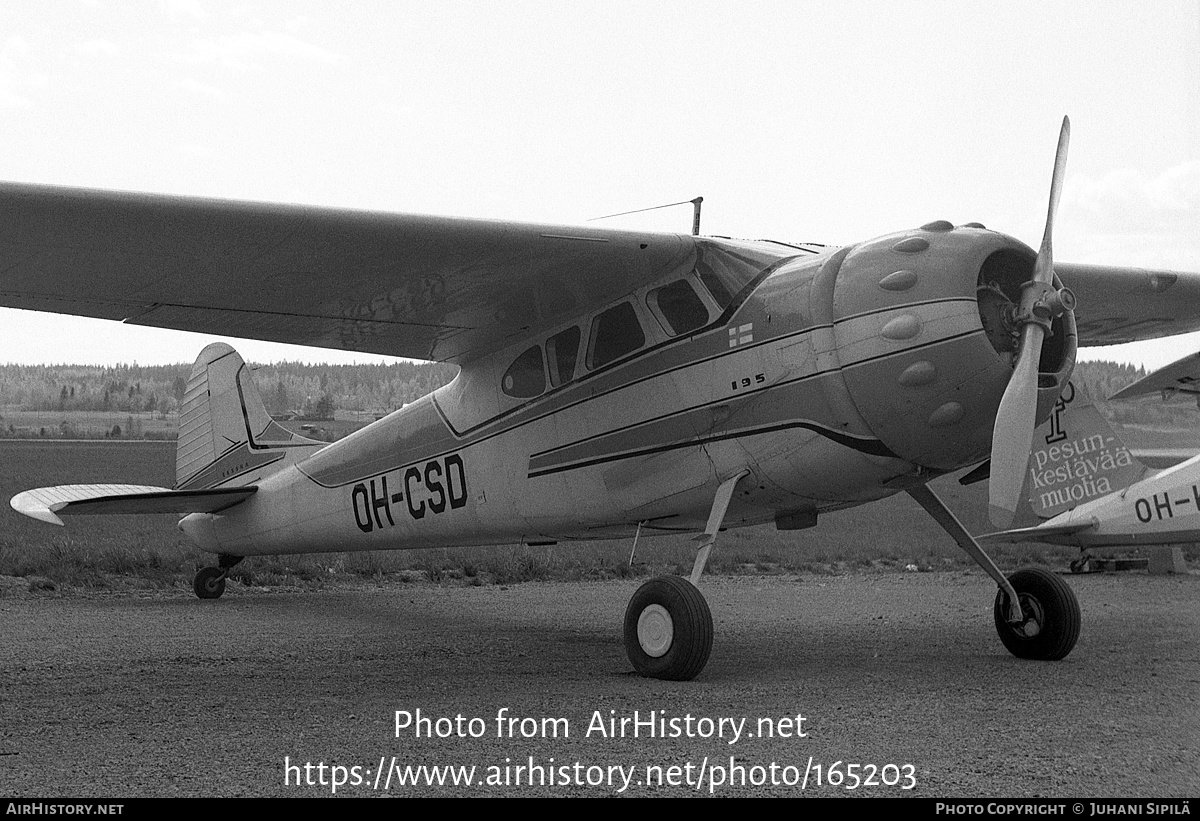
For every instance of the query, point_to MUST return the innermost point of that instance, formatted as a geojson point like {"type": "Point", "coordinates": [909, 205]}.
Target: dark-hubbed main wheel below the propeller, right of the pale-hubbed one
{"type": "Point", "coordinates": [1052, 616]}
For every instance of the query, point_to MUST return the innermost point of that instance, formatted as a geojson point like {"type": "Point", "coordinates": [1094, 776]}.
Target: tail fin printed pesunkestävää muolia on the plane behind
{"type": "Point", "coordinates": [1077, 457]}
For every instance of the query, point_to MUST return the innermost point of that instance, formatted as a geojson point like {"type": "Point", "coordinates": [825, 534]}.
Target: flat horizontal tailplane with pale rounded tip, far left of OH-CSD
{"type": "Point", "coordinates": [46, 504]}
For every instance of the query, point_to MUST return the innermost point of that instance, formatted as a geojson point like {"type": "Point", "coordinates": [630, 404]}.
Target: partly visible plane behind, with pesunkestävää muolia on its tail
{"type": "Point", "coordinates": [1095, 493]}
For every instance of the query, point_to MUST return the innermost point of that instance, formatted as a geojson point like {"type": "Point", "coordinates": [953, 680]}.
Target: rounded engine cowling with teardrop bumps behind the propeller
{"type": "Point", "coordinates": [923, 325]}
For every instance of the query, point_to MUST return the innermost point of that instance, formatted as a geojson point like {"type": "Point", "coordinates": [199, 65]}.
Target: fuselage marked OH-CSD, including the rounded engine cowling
{"type": "Point", "coordinates": [836, 377]}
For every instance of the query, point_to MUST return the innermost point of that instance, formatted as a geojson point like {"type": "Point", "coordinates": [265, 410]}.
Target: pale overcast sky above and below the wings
{"type": "Point", "coordinates": [823, 122]}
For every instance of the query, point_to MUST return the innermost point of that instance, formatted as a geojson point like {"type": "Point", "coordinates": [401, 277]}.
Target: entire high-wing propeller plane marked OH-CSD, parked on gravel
{"type": "Point", "coordinates": [611, 382]}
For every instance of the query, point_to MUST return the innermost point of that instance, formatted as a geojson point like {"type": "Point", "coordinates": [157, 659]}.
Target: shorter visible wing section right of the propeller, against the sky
{"type": "Point", "coordinates": [1130, 304]}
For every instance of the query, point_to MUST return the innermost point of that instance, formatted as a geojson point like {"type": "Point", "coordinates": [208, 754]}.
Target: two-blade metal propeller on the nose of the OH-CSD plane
{"type": "Point", "coordinates": [1016, 420]}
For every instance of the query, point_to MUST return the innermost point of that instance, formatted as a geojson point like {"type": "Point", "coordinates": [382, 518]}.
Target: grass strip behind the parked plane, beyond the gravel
{"type": "Point", "coordinates": [149, 552]}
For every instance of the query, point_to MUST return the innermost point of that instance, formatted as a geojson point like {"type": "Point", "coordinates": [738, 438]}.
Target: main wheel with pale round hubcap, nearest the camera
{"type": "Point", "coordinates": [669, 630]}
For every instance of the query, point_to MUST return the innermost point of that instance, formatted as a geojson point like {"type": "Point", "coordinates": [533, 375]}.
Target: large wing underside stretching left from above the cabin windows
{"type": "Point", "coordinates": [423, 287]}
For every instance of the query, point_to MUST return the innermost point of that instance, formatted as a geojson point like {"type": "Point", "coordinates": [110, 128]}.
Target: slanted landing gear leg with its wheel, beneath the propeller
{"type": "Point", "coordinates": [1037, 615]}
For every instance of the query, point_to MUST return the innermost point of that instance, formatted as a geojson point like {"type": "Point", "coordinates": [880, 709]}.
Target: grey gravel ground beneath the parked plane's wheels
{"type": "Point", "coordinates": [125, 696]}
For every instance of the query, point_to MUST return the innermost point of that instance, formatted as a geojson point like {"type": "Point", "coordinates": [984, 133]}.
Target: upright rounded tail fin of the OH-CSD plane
{"type": "Point", "coordinates": [226, 438]}
